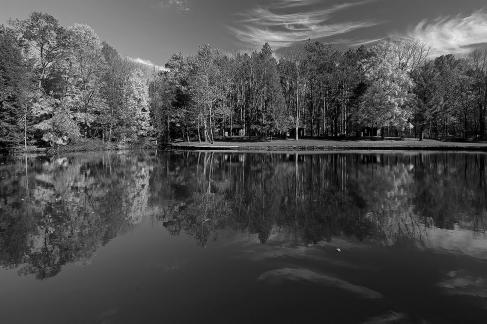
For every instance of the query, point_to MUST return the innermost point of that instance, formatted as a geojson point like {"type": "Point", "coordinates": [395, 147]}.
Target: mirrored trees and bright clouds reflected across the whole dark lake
{"type": "Point", "coordinates": [57, 211]}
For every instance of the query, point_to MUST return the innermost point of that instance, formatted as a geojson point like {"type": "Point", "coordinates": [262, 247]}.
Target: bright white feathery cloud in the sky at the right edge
{"type": "Point", "coordinates": [452, 35]}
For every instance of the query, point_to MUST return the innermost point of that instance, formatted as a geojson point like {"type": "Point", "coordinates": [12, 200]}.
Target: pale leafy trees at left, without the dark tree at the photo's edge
{"type": "Point", "coordinates": [84, 88]}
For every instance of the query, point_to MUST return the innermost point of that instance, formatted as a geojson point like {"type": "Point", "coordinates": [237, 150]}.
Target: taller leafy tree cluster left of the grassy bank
{"type": "Point", "coordinates": [63, 84]}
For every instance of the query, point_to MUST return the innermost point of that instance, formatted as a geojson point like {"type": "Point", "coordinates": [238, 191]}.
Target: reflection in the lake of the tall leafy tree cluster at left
{"type": "Point", "coordinates": [72, 207]}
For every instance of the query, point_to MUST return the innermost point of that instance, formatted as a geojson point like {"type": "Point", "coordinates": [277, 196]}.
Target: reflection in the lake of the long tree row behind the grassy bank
{"type": "Point", "coordinates": [387, 198]}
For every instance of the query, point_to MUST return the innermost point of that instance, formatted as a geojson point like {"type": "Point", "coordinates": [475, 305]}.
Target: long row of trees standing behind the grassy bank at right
{"type": "Point", "coordinates": [393, 87]}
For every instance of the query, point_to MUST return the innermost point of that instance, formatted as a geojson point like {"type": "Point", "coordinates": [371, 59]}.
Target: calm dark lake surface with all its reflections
{"type": "Point", "coordinates": [244, 238]}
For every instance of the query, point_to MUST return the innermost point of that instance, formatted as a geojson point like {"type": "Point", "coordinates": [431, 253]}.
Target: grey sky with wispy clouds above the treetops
{"type": "Point", "coordinates": [153, 30]}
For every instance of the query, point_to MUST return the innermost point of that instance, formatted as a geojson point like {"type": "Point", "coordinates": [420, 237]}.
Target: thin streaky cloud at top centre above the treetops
{"type": "Point", "coordinates": [285, 22]}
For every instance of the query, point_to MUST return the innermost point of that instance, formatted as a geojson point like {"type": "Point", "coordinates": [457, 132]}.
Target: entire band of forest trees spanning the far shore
{"type": "Point", "coordinates": [61, 85]}
